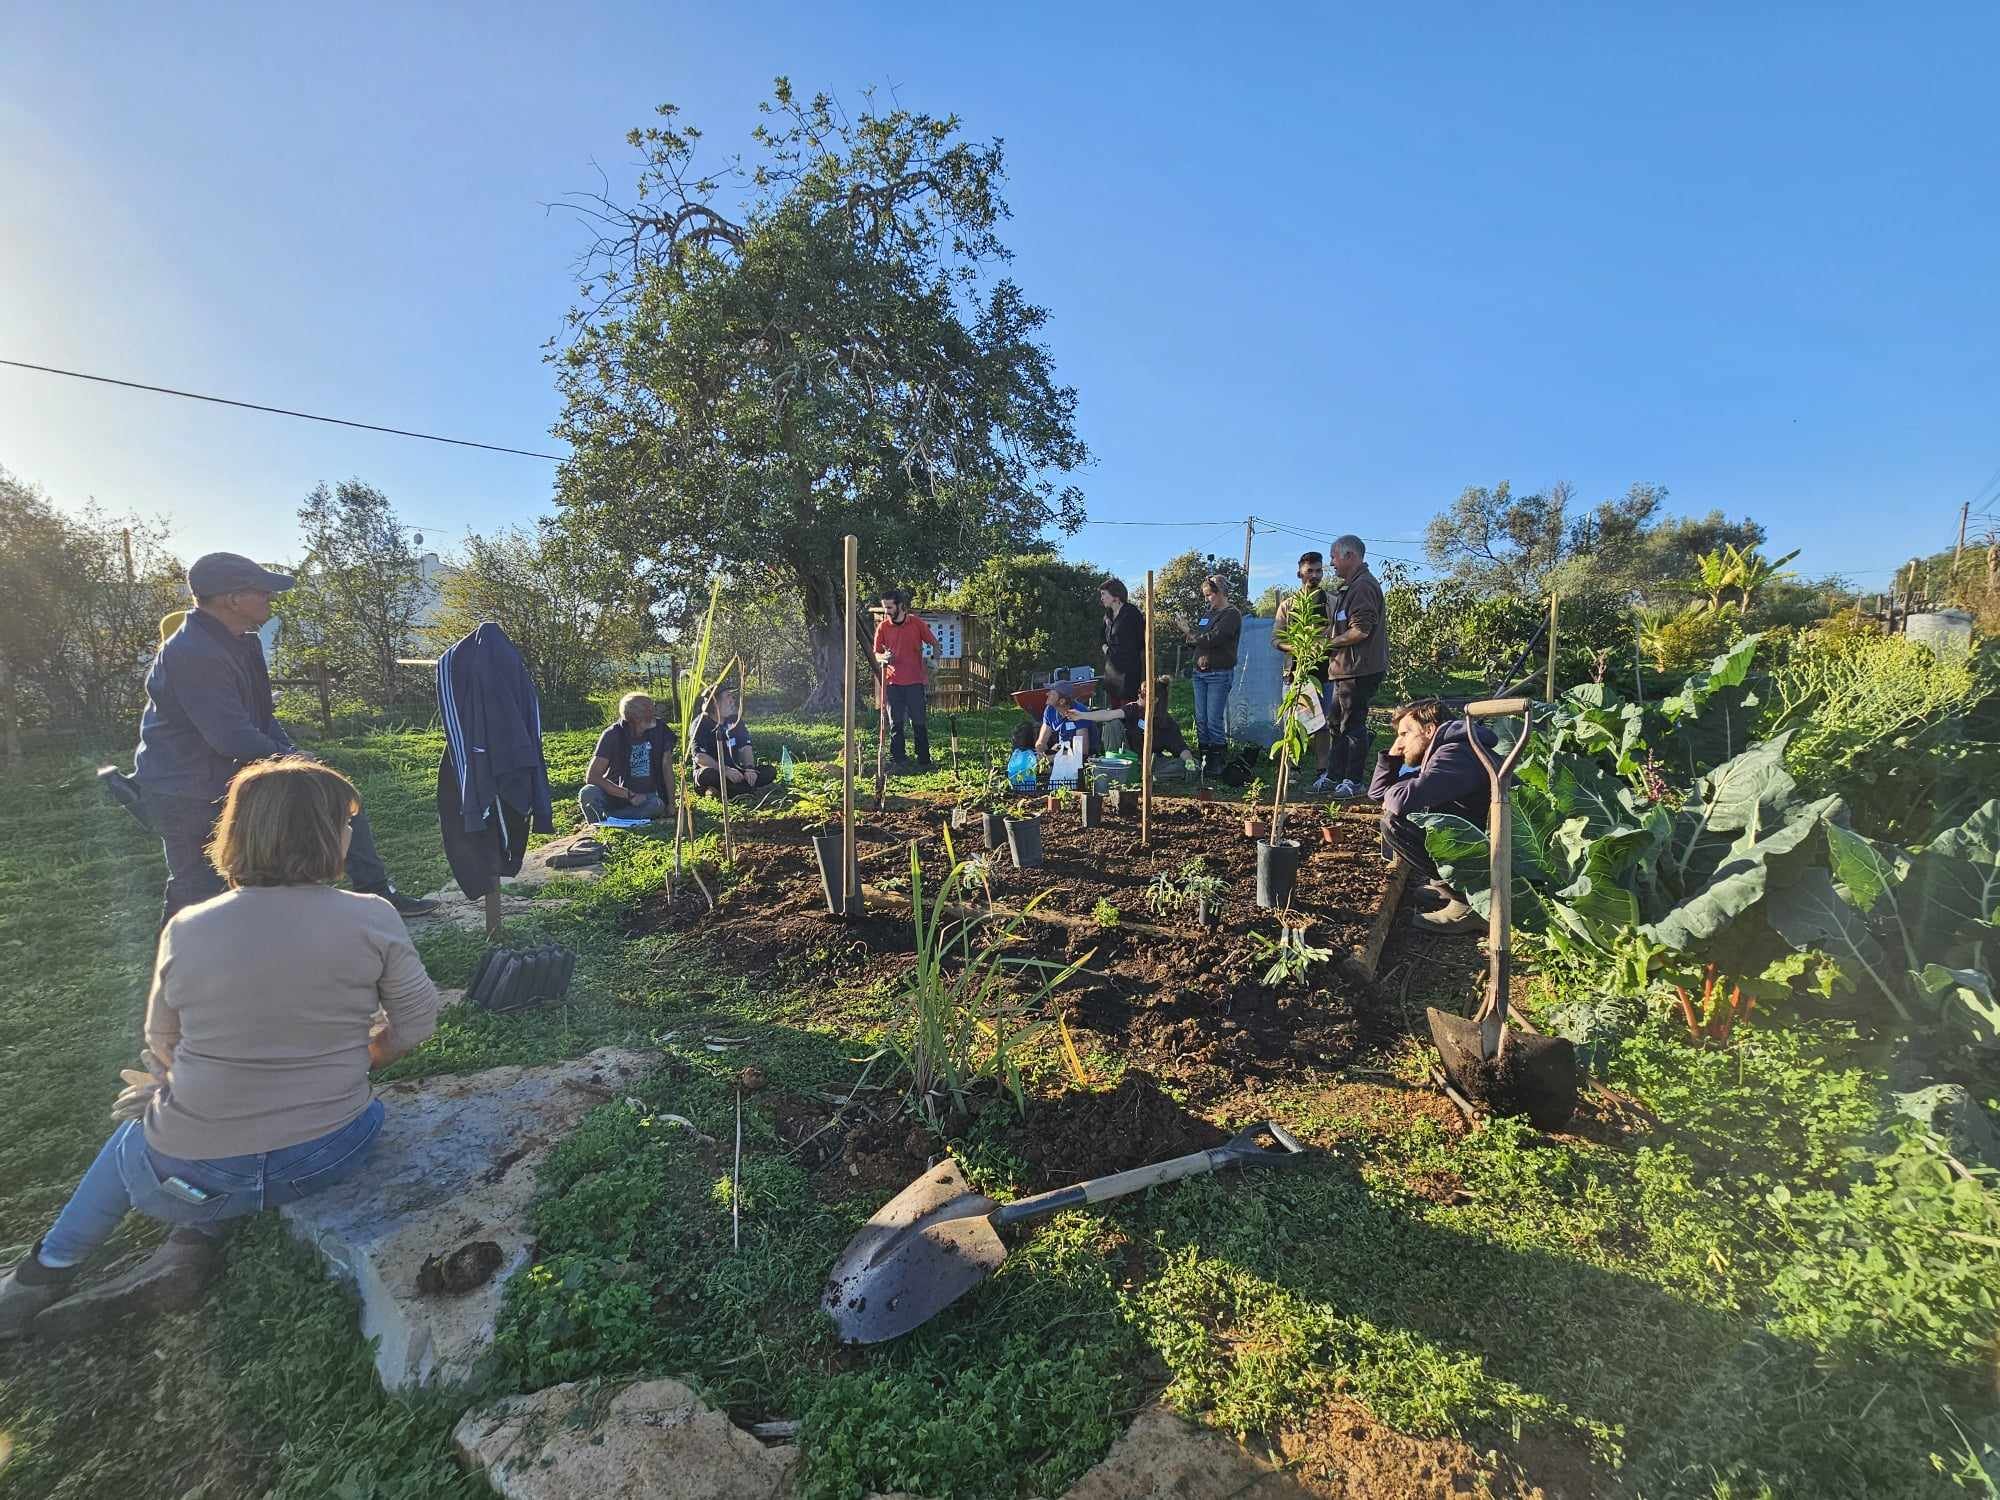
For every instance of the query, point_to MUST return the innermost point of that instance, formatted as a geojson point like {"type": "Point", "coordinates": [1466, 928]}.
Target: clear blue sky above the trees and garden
{"type": "Point", "coordinates": [1323, 265]}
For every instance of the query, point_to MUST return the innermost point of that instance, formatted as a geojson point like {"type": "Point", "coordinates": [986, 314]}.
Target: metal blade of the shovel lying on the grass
{"type": "Point", "coordinates": [923, 1251]}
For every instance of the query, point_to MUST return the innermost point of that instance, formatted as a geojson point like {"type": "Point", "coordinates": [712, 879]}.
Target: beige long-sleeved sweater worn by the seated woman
{"type": "Point", "coordinates": [261, 1007]}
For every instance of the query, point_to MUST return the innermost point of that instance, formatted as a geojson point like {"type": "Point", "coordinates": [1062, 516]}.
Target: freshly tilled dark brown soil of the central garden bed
{"type": "Point", "coordinates": [1185, 1001]}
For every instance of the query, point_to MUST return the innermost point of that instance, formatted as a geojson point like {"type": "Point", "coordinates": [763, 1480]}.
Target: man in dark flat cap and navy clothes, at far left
{"type": "Point", "coordinates": [207, 717]}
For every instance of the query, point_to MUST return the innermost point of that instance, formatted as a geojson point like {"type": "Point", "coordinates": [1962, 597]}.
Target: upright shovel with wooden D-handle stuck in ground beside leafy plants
{"type": "Point", "coordinates": [1491, 1063]}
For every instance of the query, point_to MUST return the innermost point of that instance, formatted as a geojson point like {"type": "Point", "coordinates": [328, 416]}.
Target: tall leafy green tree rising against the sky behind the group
{"type": "Point", "coordinates": [743, 387]}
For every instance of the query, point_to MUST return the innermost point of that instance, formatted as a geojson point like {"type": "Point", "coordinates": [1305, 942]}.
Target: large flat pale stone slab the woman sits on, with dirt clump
{"type": "Point", "coordinates": [449, 1183]}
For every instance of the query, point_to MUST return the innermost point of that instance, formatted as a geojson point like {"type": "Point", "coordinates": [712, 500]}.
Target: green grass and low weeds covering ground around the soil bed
{"type": "Point", "coordinates": [1769, 1297]}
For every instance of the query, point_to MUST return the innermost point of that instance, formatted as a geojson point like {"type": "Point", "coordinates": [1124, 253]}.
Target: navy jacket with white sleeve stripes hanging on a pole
{"type": "Point", "coordinates": [493, 781]}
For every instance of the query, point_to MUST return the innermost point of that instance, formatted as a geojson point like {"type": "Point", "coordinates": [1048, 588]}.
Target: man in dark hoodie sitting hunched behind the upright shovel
{"type": "Point", "coordinates": [1431, 767]}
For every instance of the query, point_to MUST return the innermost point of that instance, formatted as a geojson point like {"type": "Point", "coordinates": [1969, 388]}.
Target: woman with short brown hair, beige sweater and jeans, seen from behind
{"type": "Point", "coordinates": [261, 1033]}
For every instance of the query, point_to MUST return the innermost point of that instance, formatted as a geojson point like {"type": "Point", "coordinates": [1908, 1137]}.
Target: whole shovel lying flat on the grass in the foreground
{"type": "Point", "coordinates": [937, 1239]}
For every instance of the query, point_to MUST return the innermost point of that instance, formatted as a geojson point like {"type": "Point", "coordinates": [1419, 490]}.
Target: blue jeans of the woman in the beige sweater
{"type": "Point", "coordinates": [131, 1175]}
